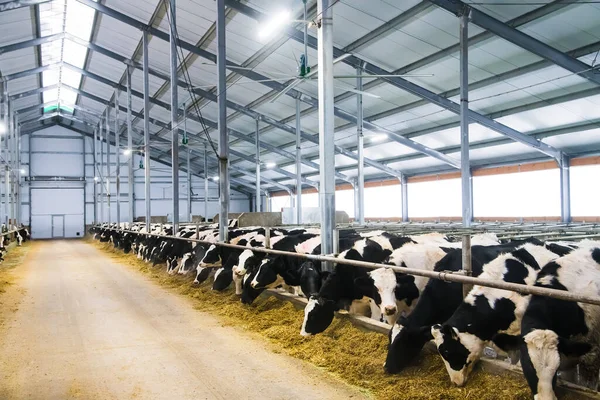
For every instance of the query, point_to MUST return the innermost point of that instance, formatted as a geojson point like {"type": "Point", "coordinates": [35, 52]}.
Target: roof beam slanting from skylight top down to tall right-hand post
{"type": "Point", "coordinates": [253, 75]}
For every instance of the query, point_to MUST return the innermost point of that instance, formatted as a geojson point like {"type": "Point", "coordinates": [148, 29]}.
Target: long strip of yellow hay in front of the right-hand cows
{"type": "Point", "coordinates": [353, 354]}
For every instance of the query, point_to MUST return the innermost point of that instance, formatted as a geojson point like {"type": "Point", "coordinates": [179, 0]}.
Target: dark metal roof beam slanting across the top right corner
{"type": "Point", "coordinates": [521, 39]}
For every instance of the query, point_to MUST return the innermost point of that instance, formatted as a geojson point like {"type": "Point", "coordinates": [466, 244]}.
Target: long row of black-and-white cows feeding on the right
{"type": "Point", "coordinates": [547, 334]}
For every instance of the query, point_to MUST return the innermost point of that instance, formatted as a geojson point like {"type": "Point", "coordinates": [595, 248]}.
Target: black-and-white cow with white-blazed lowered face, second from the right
{"type": "Point", "coordinates": [486, 311]}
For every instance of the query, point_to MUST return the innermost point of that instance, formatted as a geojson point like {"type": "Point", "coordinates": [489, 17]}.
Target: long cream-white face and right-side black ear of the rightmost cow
{"type": "Point", "coordinates": [540, 359]}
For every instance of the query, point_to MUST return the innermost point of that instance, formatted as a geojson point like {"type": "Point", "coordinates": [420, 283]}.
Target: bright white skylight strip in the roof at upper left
{"type": "Point", "coordinates": [72, 17]}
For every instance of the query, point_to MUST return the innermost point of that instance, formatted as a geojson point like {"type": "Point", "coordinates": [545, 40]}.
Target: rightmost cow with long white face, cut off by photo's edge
{"type": "Point", "coordinates": [558, 334]}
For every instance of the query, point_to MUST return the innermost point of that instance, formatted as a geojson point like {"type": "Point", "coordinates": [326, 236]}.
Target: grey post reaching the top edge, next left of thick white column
{"type": "Point", "coordinates": [222, 123]}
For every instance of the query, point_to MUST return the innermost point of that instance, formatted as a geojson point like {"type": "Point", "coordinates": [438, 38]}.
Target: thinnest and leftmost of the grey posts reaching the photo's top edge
{"type": "Point", "coordinates": [174, 116]}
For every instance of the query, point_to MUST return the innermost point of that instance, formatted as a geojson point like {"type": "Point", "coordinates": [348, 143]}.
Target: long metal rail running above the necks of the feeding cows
{"type": "Point", "coordinates": [448, 276]}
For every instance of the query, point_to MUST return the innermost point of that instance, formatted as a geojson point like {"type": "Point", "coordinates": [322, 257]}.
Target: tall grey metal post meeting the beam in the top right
{"type": "Point", "coordinates": [467, 190]}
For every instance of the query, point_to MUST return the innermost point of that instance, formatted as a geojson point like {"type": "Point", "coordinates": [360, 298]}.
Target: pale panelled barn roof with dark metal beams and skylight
{"type": "Point", "coordinates": [65, 61]}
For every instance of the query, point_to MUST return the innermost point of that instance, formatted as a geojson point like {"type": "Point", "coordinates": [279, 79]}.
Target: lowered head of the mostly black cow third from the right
{"type": "Point", "coordinates": [406, 343]}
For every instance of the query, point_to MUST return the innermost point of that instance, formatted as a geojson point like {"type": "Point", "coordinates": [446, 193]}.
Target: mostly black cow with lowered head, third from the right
{"type": "Point", "coordinates": [436, 303]}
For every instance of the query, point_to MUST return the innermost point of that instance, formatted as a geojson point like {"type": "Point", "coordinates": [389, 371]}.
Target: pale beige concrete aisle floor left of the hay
{"type": "Point", "coordinates": [82, 326]}
